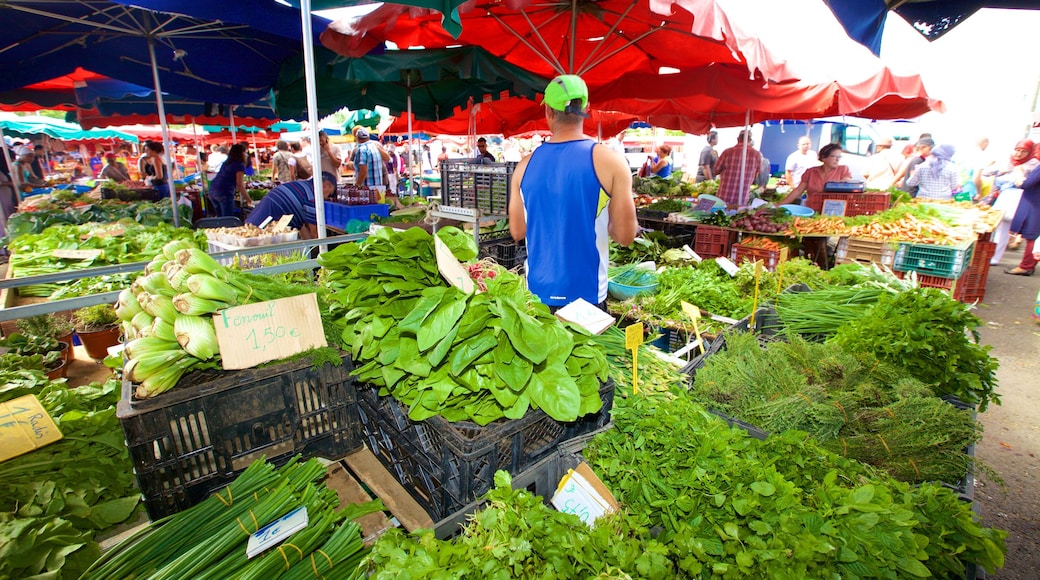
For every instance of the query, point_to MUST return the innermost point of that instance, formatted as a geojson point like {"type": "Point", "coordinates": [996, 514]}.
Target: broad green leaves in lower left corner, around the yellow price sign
{"type": "Point", "coordinates": [56, 498]}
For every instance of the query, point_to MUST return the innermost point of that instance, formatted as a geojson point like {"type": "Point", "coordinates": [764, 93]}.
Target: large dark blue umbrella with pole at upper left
{"type": "Point", "coordinates": [231, 58]}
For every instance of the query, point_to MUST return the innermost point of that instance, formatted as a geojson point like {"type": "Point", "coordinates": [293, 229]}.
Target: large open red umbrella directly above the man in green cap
{"type": "Point", "coordinates": [600, 40]}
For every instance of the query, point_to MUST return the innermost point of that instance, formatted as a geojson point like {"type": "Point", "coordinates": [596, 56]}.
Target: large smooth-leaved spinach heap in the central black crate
{"type": "Point", "coordinates": [443, 352]}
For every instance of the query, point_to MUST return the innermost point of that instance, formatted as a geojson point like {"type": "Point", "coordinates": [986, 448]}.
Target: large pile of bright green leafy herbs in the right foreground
{"type": "Point", "coordinates": [737, 508]}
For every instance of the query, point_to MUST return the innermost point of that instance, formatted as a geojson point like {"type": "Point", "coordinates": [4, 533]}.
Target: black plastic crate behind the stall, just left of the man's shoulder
{"type": "Point", "coordinates": [483, 187]}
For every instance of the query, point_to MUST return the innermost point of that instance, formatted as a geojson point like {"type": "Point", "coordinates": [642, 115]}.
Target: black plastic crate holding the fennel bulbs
{"type": "Point", "coordinates": [200, 436]}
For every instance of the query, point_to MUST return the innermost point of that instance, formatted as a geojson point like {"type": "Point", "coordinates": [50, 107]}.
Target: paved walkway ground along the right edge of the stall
{"type": "Point", "coordinates": [1011, 444]}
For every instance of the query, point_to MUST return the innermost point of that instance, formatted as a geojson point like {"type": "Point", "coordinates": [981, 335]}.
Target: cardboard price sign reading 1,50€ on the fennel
{"type": "Point", "coordinates": [253, 334]}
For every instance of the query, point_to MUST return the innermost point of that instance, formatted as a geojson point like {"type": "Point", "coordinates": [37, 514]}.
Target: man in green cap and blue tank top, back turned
{"type": "Point", "coordinates": [567, 198]}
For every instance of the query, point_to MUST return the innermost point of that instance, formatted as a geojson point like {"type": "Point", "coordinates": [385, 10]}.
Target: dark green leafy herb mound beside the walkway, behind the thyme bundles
{"type": "Point", "coordinates": [933, 337]}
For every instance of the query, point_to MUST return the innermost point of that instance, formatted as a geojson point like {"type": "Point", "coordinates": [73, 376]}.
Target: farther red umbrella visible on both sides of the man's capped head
{"type": "Point", "coordinates": [509, 117]}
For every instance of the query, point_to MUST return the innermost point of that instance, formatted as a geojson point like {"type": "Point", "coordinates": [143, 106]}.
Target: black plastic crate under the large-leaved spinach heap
{"type": "Point", "coordinates": [447, 466]}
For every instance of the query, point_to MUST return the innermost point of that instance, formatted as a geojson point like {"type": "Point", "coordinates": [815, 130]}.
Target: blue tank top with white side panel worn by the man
{"type": "Point", "coordinates": [565, 207]}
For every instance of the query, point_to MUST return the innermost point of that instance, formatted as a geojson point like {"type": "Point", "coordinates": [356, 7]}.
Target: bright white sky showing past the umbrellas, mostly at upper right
{"type": "Point", "coordinates": [984, 70]}
